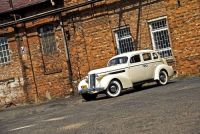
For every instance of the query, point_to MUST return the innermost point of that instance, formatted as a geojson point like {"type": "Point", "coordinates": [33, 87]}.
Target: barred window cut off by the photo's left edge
{"type": "Point", "coordinates": [4, 51]}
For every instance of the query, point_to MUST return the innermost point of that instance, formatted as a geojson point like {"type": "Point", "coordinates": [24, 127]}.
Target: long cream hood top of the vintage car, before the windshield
{"type": "Point", "coordinates": [108, 69]}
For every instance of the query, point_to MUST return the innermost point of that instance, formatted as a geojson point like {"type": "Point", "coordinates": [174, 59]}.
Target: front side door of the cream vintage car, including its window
{"type": "Point", "coordinates": [136, 69]}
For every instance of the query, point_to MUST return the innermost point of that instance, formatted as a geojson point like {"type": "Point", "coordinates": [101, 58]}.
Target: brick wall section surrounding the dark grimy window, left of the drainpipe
{"type": "Point", "coordinates": [50, 72]}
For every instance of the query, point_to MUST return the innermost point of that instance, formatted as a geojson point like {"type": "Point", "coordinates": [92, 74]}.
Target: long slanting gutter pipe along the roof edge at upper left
{"type": "Point", "coordinates": [47, 13]}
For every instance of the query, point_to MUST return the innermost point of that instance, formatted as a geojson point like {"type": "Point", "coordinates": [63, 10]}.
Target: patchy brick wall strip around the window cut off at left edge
{"type": "Point", "coordinates": [11, 77]}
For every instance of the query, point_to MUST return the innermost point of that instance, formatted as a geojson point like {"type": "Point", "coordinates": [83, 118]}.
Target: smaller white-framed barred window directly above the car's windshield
{"type": "Point", "coordinates": [124, 40]}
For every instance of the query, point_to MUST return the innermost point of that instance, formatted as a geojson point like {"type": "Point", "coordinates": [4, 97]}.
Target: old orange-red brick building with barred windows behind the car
{"type": "Point", "coordinates": [47, 46]}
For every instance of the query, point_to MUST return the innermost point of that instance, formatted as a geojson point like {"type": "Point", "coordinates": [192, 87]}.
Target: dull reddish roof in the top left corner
{"type": "Point", "coordinates": [5, 6]}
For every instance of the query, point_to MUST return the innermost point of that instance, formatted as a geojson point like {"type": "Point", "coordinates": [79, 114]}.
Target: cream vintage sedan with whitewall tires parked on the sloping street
{"type": "Point", "coordinates": [125, 71]}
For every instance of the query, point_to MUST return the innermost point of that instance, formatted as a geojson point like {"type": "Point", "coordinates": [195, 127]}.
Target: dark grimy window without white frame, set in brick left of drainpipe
{"type": "Point", "coordinates": [47, 38]}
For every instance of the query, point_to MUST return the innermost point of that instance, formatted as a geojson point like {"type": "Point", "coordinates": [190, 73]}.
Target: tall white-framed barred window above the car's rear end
{"type": "Point", "coordinates": [160, 37]}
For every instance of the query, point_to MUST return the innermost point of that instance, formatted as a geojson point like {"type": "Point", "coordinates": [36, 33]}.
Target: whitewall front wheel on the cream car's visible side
{"type": "Point", "coordinates": [114, 89]}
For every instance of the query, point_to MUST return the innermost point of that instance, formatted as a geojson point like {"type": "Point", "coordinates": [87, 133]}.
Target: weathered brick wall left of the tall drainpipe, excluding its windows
{"type": "Point", "coordinates": [37, 77]}
